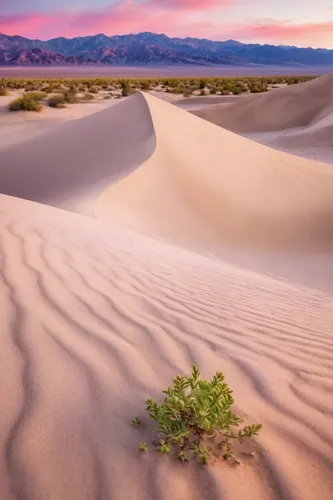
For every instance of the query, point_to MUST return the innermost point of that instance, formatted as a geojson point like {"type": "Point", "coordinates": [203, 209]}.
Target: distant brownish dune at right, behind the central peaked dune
{"type": "Point", "coordinates": [297, 119]}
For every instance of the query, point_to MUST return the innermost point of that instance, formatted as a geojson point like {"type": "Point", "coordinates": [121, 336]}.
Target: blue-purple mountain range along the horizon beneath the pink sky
{"type": "Point", "coordinates": [151, 48]}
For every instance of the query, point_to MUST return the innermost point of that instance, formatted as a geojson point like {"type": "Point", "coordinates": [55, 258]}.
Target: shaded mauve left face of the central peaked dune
{"type": "Point", "coordinates": [71, 164]}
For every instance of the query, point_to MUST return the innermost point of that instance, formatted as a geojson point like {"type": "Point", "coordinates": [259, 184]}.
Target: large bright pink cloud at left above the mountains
{"type": "Point", "coordinates": [125, 17]}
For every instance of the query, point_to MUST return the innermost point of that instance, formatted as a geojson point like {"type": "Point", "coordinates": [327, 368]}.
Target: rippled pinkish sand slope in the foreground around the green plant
{"type": "Point", "coordinates": [94, 321]}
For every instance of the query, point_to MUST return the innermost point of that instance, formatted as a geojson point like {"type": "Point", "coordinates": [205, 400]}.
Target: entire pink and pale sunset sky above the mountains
{"type": "Point", "coordinates": [304, 23]}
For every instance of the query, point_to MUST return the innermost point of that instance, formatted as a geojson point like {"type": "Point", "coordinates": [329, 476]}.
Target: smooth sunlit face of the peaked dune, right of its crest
{"type": "Point", "coordinates": [206, 185]}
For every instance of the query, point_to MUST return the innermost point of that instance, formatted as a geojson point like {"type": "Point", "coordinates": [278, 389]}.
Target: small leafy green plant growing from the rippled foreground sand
{"type": "Point", "coordinates": [195, 419]}
